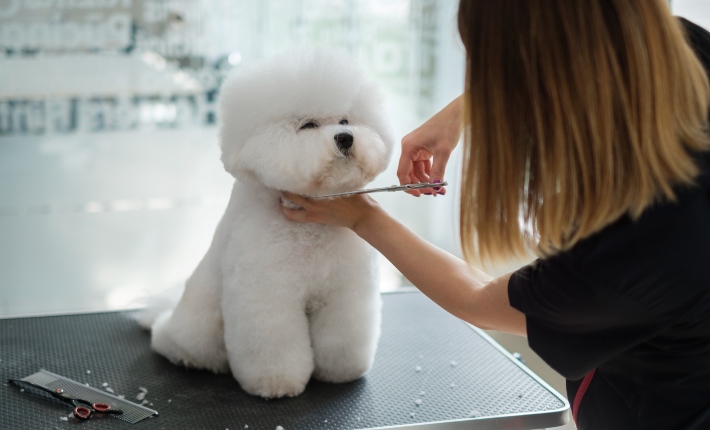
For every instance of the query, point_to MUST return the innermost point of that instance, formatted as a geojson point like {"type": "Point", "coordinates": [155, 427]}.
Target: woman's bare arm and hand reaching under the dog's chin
{"type": "Point", "coordinates": [459, 288]}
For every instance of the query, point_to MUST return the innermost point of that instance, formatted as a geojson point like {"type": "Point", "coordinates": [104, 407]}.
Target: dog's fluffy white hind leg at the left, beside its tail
{"type": "Point", "coordinates": [192, 334]}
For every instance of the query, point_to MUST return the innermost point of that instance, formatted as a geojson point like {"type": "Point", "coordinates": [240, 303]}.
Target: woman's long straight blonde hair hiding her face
{"type": "Point", "coordinates": [576, 112]}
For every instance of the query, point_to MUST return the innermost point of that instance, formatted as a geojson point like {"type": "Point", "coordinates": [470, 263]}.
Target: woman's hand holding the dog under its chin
{"type": "Point", "coordinates": [342, 211]}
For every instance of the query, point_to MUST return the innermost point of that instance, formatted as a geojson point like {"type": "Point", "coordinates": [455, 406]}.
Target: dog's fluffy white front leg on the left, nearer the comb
{"type": "Point", "coordinates": [267, 341]}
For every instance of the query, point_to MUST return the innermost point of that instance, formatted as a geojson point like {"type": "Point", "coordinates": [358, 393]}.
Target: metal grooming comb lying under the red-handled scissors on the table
{"type": "Point", "coordinates": [132, 412]}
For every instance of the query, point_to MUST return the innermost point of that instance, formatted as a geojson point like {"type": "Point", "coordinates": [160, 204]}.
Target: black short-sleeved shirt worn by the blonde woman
{"type": "Point", "coordinates": [632, 305]}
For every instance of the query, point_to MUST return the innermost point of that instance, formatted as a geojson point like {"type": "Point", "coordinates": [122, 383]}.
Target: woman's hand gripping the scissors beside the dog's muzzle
{"type": "Point", "coordinates": [435, 138]}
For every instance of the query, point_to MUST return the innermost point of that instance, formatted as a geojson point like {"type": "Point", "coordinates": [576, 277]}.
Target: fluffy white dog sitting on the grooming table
{"type": "Point", "coordinates": [275, 301]}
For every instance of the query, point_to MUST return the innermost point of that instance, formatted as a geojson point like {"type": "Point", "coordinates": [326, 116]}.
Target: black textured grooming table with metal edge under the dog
{"type": "Point", "coordinates": [463, 378]}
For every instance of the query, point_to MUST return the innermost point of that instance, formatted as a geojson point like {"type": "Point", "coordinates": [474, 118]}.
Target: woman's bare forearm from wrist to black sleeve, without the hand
{"type": "Point", "coordinates": [456, 286]}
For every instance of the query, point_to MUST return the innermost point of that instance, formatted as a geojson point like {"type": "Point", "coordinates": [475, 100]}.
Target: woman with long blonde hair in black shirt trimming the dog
{"type": "Point", "coordinates": [585, 140]}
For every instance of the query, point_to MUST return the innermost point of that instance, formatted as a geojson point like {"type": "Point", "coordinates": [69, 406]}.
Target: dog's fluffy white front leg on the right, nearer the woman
{"type": "Point", "coordinates": [345, 332]}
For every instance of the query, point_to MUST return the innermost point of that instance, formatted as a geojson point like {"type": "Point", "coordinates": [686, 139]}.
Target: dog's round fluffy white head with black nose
{"type": "Point", "coordinates": [307, 122]}
